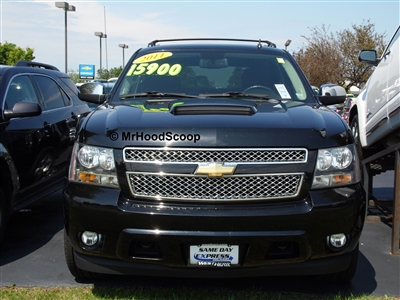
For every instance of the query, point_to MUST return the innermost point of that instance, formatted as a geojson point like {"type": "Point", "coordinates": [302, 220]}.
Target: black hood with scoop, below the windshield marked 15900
{"type": "Point", "coordinates": [222, 123]}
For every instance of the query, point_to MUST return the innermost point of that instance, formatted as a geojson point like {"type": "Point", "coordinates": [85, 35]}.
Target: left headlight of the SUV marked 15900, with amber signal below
{"type": "Point", "coordinates": [95, 165]}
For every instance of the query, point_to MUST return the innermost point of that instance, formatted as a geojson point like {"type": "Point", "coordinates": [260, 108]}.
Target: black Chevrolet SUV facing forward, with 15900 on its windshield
{"type": "Point", "coordinates": [214, 159]}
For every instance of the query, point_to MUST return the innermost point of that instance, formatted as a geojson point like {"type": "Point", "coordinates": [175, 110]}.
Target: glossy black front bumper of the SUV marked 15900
{"type": "Point", "coordinates": [145, 238]}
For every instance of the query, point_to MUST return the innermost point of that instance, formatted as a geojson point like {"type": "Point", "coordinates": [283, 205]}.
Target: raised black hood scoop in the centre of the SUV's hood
{"type": "Point", "coordinates": [213, 109]}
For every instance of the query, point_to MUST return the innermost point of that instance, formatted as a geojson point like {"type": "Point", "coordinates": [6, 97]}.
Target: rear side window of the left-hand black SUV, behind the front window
{"type": "Point", "coordinates": [52, 94]}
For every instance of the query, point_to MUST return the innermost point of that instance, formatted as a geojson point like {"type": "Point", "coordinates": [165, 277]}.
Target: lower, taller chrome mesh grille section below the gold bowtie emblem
{"type": "Point", "coordinates": [204, 188]}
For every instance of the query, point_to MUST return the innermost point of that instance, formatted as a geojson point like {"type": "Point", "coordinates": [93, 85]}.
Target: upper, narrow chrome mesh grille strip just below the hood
{"type": "Point", "coordinates": [182, 155]}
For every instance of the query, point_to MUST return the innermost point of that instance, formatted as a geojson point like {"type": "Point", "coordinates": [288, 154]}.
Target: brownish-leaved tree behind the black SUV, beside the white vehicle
{"type": "Point", "coordinates": [333, 58]}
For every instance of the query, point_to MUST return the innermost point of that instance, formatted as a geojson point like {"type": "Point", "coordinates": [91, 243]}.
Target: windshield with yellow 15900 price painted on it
{"type": "Point", "coordinates": [211, 74]}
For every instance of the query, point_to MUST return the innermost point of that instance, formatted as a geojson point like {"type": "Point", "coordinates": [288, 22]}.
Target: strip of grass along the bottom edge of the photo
{"type": "Point", "coordinates": [160, 293]}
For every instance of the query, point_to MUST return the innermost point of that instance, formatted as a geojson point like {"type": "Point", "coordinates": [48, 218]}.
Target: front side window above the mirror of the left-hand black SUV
{"type": "Point", "coordinates": [20, 90]}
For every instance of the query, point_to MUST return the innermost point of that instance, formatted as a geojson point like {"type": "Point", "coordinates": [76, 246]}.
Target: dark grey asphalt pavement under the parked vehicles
{"type": "Point", "coordinates": [32, 255]}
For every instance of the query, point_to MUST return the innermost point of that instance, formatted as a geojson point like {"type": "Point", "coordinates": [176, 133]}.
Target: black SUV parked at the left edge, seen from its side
{"type": "Point", "coordinates": [40, 110]}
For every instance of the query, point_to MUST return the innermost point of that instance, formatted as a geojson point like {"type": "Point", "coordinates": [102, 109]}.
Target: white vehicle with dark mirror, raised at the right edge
{"type": "Point", "coordinates": [375, 115]}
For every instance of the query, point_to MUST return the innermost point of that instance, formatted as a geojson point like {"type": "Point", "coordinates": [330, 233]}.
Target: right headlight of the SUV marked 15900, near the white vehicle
{"type": "Point", "coordinates": [336, 167]}
